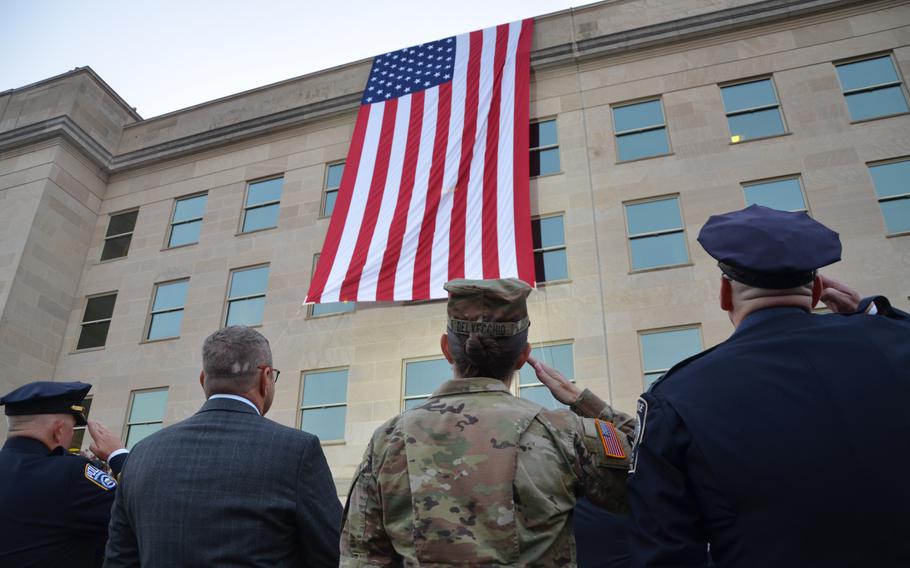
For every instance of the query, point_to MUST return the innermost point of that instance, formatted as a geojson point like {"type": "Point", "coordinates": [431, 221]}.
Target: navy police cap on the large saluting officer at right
{"type": "Point", "coordinates": [768, 248]}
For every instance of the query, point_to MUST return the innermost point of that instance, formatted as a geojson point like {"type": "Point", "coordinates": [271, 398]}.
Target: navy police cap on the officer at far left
{"type": "Point", "coordinates": [48, 397]}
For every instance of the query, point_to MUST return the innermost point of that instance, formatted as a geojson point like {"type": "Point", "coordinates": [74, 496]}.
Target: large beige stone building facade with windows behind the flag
{"type": "Point", "coordinates": [124, 242]}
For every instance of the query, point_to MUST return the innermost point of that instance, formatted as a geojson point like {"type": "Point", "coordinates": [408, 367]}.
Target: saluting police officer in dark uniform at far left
{"type": "Point", "coordinates": [54, 507]}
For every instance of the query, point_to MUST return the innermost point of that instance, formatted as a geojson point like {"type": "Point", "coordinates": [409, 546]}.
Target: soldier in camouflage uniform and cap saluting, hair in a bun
{"type": "Point", "coordinates": [475, 476]}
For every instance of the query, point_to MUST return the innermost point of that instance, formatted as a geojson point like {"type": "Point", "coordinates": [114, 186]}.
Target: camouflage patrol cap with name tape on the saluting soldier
{"type": "Point", "coordinates": [497, 308]}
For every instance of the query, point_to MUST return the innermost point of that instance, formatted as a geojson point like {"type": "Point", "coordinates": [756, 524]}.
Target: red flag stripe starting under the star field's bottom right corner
{"type": "Point", "coordinates": [421, 286]}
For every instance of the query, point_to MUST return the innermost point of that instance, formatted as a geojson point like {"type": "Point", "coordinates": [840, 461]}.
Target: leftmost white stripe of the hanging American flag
{"type": "Point", "coordinates": [358, 204]}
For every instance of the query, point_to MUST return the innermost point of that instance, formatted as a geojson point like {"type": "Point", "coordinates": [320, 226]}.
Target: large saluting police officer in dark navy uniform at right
{"type": "Point", "coordinates": [787, 444]}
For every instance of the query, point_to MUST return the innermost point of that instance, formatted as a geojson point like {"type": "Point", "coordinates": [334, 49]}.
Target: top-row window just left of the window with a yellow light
{"type": "Point", "coordinates": [641, 131]}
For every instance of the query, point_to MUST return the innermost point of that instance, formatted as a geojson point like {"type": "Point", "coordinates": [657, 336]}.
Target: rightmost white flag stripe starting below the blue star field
{"type": "Point", "coordinates": [404, 273]}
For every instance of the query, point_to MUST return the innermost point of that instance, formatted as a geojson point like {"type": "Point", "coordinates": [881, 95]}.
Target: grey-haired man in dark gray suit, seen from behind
{"type": "Point", "coordinates": [227, 487]}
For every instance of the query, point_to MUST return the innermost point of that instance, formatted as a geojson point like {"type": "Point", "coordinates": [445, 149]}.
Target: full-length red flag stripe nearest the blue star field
{"type": "Point", "coordinates": [460, 201]}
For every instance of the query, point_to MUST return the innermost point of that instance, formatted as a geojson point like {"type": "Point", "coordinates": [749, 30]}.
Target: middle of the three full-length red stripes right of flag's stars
{"type": "Point", "coordinates": [490, 242]}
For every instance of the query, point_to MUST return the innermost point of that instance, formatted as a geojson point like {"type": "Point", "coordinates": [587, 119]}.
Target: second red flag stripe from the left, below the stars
{"type": "Point", "coordinates": [351, 281]}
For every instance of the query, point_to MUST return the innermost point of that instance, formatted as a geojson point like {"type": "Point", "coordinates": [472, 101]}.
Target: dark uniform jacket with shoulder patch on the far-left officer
{"type": "Point", "coordinates": [54, 507]}
